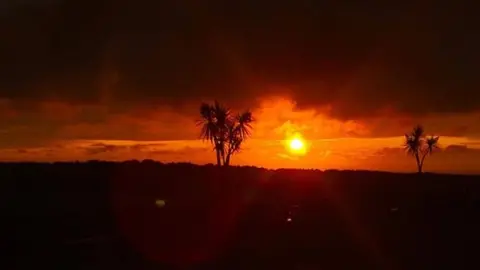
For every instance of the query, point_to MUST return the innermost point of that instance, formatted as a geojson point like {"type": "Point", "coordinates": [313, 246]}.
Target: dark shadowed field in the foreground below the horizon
{"type": "Point", "coordinates": [105, 216]}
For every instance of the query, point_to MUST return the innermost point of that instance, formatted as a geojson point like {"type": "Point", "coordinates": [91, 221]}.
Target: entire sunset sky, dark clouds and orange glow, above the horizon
{"type": "Point", "coordinates": [117, 80]}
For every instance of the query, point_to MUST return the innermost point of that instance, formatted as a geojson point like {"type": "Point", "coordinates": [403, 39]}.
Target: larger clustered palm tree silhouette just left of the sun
{"type": "Point", "coordinates": [223, 130]}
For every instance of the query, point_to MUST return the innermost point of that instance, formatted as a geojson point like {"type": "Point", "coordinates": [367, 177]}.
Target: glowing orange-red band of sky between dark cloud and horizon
{"type": "Point", "coordinates": [152, 133]}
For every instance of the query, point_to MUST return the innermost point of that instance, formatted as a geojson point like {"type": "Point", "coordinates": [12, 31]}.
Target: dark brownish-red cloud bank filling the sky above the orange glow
{"type": "Point", "coordinates": [409, 56]}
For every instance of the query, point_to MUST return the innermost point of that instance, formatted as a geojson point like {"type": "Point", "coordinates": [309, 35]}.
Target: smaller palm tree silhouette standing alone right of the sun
{"type": "Point", "coordinates": [417, 145]}
